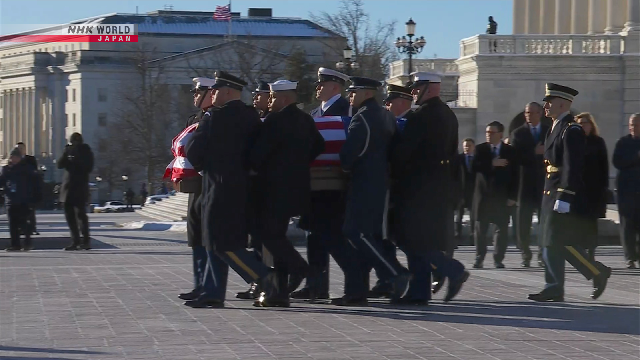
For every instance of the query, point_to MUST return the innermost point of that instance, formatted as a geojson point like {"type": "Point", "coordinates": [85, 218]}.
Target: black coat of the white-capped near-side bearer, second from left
{"type": "Point", "coordinates": [288, 143]}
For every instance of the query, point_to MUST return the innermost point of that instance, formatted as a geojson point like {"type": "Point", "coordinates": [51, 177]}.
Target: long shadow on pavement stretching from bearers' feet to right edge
{"type": "Point", "coordinates": [612, 319]}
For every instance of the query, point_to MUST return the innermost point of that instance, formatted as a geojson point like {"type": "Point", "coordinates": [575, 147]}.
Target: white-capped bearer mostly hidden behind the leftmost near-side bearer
{"type": "Point", "coordinates": [202, 100]}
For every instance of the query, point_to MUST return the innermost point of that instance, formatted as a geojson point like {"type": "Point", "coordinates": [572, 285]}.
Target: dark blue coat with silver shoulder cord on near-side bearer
{"type": "Point", "coordinates": [365, 156]}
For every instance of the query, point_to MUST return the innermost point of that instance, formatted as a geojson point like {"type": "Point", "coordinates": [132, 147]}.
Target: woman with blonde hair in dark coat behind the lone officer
{"type": "Point", "coordinates": [596, 178]}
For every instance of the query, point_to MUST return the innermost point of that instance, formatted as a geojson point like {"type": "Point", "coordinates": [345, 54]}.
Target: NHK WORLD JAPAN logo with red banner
{"type": "Point", "coordinates": [77, 33]}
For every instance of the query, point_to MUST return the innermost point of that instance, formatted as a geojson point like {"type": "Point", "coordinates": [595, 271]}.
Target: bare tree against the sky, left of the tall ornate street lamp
{"type": "Point", "coordinates": [372, 43]}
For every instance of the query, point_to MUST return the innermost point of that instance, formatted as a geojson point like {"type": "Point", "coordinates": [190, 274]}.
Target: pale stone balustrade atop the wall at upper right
{"type": "Point", "coordinates": [542, 45]}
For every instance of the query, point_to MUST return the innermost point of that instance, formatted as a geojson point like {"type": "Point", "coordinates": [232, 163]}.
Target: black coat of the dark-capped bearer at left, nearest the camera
{"type": "Point", "coordinates": [220, 148]}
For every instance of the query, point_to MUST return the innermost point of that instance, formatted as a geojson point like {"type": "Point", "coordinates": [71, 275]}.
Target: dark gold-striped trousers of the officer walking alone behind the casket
{"type": "Point", "coordinates": [554, 258]}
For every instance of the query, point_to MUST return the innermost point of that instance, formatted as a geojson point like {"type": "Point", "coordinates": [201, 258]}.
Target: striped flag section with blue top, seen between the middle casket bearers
{"type": "Point", "coordinates": [334, 131]}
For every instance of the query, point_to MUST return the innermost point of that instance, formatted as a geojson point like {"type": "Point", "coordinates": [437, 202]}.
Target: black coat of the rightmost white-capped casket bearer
{"type": "Point", "coordinates": [422, 162]}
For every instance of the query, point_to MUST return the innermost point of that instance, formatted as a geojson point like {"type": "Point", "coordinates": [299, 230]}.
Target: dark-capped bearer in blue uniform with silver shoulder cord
{"type": "Point", "coordinates": [365, 156]}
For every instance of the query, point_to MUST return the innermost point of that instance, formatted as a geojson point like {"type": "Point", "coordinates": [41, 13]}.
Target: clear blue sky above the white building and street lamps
{"type": "Point", "coordinates": [442, 22]}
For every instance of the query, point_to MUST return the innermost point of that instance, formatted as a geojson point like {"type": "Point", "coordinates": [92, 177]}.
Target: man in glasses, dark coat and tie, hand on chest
{"type": "Point", "coordinates": [496, 171]}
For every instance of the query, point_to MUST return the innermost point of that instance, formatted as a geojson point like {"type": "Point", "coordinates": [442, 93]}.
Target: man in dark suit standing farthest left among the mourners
{"type": "Point", "coordinates": [467, 182]}
